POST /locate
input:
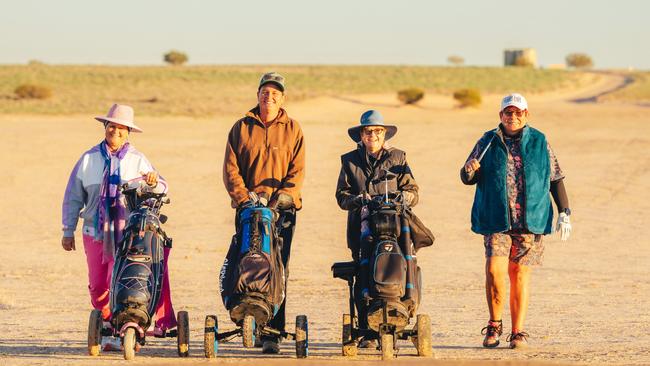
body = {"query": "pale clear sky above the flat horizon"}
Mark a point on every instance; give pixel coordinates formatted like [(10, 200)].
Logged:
[(418, 32)]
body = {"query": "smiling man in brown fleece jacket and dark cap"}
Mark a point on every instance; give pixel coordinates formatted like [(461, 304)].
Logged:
[(265, 154)]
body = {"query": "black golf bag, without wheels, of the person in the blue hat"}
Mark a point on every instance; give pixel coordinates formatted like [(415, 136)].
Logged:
[(388, 269)]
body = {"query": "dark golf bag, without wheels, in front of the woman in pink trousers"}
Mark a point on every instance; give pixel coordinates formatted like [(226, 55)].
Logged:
[(139, 260)]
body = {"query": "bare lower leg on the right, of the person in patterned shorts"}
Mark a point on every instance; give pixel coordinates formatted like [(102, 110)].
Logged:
[(519, 294)]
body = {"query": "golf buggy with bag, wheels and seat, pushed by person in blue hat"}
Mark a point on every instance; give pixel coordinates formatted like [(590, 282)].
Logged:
[(390, 280)]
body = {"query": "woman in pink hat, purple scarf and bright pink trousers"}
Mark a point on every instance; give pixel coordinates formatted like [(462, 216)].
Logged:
[(93, 194)]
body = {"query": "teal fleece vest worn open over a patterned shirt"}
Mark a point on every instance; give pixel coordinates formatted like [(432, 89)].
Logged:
[(490, 212)]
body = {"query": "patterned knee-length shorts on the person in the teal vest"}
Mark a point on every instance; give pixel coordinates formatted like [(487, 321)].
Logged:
[(521, 247)]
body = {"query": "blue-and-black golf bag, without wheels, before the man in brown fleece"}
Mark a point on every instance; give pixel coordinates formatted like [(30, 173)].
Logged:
[(252, 277)]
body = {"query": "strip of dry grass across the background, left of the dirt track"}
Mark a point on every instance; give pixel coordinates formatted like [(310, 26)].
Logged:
[(208, 90)]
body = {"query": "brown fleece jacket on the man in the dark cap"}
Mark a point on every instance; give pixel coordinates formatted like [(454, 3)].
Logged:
[(263, 159)]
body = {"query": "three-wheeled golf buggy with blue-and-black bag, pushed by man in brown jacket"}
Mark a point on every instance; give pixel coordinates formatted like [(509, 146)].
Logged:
[(252, 282)]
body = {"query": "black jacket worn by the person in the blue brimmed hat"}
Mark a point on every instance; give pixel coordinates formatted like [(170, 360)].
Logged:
[(358, 175)]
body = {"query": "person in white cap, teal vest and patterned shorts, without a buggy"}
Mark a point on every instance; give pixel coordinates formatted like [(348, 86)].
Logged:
[(515, 172)]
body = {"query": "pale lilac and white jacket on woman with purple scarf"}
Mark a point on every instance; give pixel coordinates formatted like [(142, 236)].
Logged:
[(82, 195)]
